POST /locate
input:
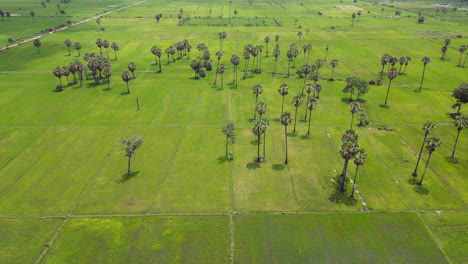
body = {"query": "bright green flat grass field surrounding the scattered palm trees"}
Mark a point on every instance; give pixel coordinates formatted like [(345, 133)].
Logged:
[(64, 193)]
